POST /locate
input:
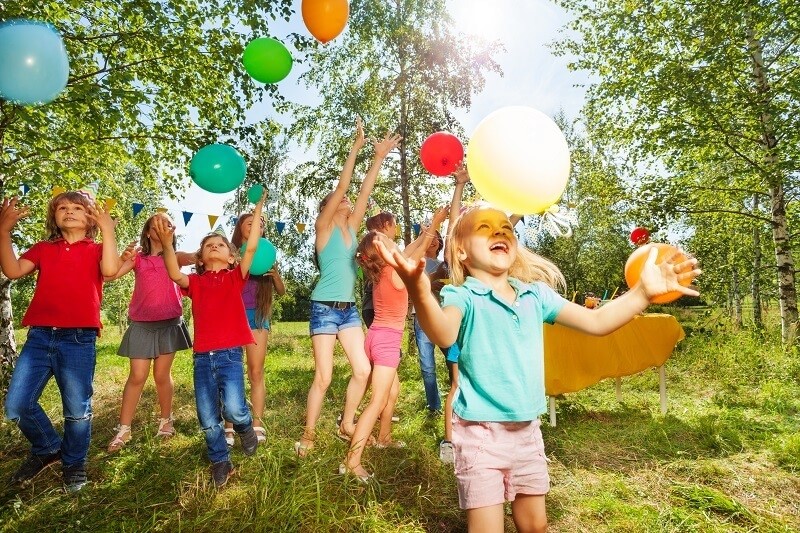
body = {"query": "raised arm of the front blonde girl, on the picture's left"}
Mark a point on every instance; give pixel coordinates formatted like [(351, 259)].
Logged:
[(441, 325)]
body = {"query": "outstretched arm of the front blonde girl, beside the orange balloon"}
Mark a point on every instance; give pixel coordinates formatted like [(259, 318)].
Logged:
[(654, 280)]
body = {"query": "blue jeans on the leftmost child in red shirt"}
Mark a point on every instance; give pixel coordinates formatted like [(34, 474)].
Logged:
[(68, 354)]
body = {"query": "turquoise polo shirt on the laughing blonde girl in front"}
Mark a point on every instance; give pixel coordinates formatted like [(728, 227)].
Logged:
[(501, 366)]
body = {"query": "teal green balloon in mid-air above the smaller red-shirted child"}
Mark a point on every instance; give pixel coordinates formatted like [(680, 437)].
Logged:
[(218, 168)]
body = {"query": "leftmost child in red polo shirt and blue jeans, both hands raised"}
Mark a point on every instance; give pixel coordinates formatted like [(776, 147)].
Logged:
[(64, 321)]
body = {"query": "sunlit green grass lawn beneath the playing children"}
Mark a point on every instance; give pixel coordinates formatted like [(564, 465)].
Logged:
[(724, 458)]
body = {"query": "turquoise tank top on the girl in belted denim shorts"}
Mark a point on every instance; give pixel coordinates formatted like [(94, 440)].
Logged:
[(337, 267)]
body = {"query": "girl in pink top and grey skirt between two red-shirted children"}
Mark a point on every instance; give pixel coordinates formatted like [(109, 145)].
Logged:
[(156, 330)]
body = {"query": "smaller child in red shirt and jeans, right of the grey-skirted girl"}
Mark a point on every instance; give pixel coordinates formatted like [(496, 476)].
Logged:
[(220, 331)]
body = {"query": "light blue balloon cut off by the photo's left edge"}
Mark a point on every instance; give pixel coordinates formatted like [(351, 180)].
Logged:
[(34, 67)]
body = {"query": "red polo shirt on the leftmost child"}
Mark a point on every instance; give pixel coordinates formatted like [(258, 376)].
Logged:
[(69, 284)]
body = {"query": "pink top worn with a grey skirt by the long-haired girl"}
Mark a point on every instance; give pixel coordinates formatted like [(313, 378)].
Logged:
[(155, 295)]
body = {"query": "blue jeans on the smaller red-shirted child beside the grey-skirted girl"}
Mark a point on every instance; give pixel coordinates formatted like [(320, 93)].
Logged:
[(219, 393)]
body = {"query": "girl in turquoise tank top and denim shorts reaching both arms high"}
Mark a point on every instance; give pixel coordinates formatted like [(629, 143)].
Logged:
[(333, 311)]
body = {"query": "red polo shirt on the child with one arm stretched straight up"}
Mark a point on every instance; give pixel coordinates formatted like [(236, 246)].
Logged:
[(220, 321)]
